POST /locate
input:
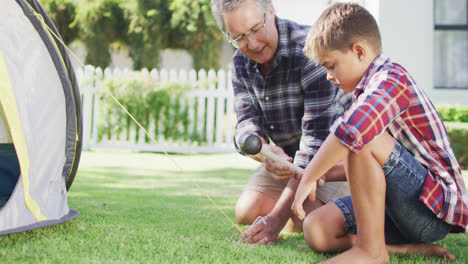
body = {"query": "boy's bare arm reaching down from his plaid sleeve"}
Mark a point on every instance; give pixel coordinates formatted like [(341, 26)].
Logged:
[(328, 155)]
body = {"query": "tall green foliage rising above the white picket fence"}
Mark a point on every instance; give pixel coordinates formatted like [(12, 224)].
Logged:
[(146, 27)]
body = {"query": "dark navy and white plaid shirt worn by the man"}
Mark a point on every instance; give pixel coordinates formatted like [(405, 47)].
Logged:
[(294, 105)]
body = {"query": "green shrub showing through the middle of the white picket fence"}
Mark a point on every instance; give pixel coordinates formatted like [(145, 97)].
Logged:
[(164, 103)]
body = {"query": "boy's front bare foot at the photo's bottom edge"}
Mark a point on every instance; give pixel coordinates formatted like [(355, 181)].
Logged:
[(358, 255)]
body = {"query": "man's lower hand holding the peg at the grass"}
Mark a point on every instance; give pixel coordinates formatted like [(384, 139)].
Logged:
[(262, 233)]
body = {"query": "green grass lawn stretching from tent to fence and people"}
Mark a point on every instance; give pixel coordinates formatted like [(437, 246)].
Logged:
[(139, 208)]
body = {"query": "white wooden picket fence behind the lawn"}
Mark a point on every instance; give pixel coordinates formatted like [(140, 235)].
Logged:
[(215, 112)]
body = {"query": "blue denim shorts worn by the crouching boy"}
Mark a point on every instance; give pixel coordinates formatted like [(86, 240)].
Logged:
[(407, 220)]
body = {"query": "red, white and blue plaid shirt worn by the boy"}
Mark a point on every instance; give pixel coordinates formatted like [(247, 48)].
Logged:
[(387, 97)]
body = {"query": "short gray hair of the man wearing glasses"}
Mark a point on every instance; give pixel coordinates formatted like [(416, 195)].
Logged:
[(220, 7)]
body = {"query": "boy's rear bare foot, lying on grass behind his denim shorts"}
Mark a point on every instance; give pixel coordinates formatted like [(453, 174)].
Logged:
[(430, 250)]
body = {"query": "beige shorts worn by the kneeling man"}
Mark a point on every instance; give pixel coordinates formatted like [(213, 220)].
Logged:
[(263, 182)]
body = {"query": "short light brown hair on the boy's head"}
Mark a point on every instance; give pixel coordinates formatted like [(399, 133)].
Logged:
[(339, 27)]
